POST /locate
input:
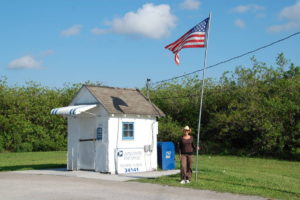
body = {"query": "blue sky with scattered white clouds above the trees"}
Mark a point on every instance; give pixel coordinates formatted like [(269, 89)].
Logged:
[(121, 43)]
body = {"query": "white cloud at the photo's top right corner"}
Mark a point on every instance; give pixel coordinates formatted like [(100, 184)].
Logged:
[(292, 15)]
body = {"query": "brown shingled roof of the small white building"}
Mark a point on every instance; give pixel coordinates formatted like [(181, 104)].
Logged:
[(124, 101)]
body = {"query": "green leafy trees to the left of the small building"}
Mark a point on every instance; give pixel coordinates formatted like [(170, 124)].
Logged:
[(25, 120)]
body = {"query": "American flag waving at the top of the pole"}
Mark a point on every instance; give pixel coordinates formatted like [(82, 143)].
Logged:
[(194, 38)]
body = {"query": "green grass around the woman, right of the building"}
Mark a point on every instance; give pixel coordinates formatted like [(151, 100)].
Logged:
[(253, 176)]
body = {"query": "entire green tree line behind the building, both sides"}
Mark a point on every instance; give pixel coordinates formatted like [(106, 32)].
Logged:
[(249, 111)]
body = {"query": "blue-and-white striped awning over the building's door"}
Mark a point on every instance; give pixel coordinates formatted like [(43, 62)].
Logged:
[(72, 110)]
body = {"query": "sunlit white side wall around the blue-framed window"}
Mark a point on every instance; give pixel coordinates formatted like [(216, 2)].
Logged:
[(145, 133)]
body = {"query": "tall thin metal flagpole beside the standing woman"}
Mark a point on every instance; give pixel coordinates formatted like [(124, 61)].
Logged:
[(201, 99)]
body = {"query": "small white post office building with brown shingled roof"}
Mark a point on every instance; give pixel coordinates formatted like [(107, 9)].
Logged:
[(111, 130)]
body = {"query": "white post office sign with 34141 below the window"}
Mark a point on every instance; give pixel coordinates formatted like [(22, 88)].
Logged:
[(130, 161)]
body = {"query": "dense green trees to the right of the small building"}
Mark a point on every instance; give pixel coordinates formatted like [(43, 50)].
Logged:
[(253, 111)]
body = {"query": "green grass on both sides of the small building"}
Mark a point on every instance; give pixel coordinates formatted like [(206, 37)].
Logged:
[(253, 176)]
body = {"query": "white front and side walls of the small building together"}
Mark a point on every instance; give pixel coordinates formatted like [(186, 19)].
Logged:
[(84, 126)]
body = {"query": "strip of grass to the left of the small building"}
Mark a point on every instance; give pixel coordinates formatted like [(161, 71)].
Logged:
[(32, 160)]
